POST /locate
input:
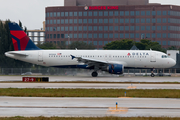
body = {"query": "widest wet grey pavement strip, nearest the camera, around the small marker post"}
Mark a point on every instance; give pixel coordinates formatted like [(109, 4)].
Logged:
[(88, 107)]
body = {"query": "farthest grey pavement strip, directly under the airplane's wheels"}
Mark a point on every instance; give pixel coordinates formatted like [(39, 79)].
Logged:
[(101, 79)]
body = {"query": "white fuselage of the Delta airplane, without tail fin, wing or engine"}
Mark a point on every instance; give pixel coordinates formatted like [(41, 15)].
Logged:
[(129, 58)]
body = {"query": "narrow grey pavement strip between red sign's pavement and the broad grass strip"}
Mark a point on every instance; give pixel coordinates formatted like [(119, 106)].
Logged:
[(90, 85)]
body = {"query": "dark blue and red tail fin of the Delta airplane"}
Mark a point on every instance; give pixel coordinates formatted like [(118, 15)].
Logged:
[(19, 38)]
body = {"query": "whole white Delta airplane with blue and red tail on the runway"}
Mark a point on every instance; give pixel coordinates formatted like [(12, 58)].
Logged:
[(111, 61)]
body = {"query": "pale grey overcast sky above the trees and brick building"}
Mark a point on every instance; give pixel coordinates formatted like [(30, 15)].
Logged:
[(32, 12)]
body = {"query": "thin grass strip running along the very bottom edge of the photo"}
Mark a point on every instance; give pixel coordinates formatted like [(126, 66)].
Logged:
[(87, 118)]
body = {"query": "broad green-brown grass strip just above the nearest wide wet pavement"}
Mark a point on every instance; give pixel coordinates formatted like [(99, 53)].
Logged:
[(38, 92)]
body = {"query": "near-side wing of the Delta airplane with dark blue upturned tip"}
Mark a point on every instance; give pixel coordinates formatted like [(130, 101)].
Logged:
[(92, 62)]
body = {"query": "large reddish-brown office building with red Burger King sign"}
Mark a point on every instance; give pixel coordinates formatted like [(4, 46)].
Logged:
[(102, 21)]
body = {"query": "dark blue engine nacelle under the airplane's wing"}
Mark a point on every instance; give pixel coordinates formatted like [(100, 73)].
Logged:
[(115, 69)]
